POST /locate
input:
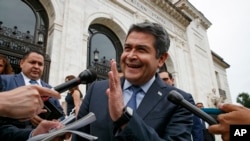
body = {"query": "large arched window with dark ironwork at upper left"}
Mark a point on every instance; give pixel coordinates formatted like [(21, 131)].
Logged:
[(23, 27)]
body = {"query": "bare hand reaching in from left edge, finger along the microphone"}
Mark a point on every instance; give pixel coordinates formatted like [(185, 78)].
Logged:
[(24, 102)]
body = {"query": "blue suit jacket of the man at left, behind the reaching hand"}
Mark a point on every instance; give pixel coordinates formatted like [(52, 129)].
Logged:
[(14, 130)]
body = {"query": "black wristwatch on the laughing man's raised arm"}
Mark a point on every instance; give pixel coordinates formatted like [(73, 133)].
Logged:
[(126, 116)]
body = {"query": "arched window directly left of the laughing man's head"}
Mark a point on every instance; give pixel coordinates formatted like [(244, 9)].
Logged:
[(103, 45)]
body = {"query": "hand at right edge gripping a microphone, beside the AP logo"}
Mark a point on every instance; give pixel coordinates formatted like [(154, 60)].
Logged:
[(233, 115)]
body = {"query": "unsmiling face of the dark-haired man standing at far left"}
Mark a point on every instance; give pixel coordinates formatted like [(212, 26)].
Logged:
[(33, 66)]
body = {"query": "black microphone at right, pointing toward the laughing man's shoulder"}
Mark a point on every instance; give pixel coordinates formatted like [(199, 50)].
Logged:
[(178, 99)]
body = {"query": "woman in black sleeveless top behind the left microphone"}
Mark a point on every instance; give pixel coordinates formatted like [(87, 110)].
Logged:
[(73, 97)]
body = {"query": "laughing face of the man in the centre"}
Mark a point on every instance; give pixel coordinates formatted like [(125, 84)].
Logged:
[(138, 60)]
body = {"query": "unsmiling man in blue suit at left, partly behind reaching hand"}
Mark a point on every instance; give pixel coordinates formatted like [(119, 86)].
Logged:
[(32, 65)]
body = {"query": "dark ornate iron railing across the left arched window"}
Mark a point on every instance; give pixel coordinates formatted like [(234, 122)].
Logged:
[(14, 44)]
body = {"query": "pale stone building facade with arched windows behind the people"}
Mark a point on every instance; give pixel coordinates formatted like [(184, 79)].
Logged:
[(75, 29)]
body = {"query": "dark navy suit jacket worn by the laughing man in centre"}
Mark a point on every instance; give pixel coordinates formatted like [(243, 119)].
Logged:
[(156, 118)]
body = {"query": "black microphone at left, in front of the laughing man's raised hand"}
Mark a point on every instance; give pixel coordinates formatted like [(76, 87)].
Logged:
[(85, 77)]
